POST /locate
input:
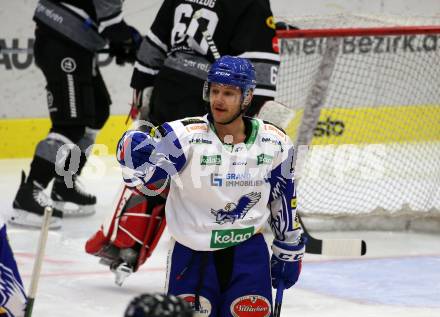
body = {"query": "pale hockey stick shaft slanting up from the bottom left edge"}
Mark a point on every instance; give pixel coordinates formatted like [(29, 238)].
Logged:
[(36, 271)]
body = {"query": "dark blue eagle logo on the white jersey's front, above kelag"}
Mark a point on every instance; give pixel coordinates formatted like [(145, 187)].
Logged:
[(231, 212)]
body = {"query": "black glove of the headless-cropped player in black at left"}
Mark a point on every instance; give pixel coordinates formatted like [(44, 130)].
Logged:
[(125, 51)]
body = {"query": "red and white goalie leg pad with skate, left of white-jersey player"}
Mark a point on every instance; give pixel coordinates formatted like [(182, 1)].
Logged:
[(130, 235)]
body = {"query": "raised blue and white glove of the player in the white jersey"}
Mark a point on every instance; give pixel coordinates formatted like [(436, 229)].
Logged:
[(135, 149)]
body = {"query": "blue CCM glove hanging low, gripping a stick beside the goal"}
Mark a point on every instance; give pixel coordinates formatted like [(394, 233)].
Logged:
[(286, 262)]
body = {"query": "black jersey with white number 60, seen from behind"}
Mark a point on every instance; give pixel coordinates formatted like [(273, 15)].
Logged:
[(175, 55)]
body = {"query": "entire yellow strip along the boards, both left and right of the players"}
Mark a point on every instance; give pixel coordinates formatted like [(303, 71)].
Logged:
[(362, 125)]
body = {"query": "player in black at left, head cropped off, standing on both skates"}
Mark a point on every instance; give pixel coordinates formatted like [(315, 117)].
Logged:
[(68, 34)]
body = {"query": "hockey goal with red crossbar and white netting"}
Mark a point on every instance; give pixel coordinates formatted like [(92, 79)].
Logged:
[(366, 103)]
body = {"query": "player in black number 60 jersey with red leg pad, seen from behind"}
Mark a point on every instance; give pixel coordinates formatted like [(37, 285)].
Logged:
[(170, 69)]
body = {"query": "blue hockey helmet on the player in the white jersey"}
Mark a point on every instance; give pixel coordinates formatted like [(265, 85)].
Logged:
[(232, 71)]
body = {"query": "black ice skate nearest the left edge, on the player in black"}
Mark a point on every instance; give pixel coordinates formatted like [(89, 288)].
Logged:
[(29, 205)]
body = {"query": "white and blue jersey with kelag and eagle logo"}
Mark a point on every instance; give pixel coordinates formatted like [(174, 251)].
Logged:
[(221, 194)]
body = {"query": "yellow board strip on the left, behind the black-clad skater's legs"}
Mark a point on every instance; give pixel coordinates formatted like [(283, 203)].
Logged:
[(19, 137)]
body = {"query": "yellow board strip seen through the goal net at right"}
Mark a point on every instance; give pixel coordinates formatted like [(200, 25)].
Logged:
[(378, 125)]
